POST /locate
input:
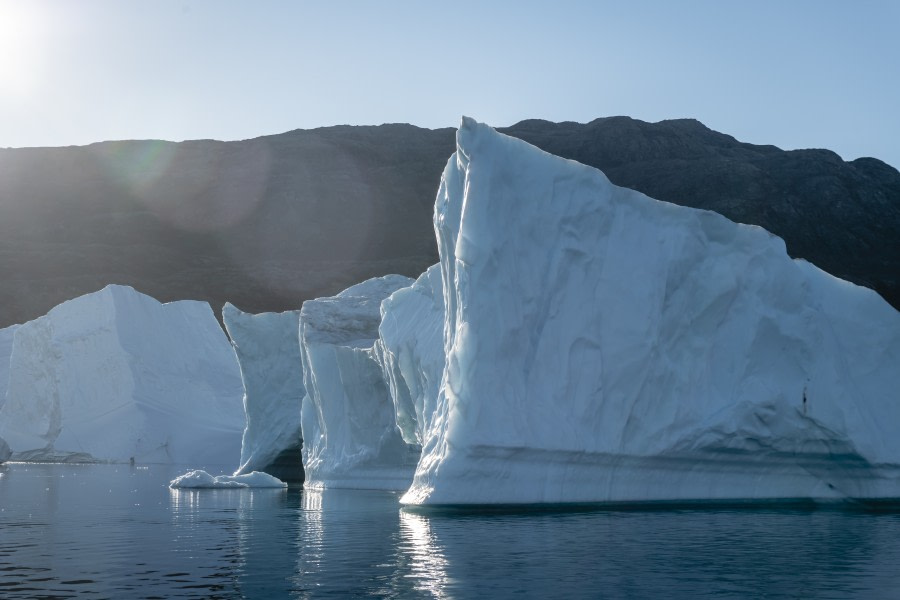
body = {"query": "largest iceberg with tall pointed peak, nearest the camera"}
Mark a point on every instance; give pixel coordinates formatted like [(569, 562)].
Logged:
[(605, 346)]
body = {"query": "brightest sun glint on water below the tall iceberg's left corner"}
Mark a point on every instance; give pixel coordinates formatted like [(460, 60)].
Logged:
[(426, 559)]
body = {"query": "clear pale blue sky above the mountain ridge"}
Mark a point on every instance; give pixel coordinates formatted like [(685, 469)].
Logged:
[(794, 73)]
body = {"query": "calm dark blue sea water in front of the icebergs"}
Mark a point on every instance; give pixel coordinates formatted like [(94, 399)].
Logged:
[(104, 531)]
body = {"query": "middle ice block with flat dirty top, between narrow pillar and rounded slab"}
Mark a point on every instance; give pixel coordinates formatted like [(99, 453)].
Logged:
[(350, 435)]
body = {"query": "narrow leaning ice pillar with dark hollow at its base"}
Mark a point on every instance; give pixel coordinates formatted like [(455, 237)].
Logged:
[(268, 350)]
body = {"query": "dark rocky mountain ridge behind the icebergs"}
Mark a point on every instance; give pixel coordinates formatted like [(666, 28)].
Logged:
[(269, 222)]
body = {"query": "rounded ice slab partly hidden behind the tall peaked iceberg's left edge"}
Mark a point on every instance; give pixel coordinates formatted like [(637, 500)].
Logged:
[(410, 349)]
